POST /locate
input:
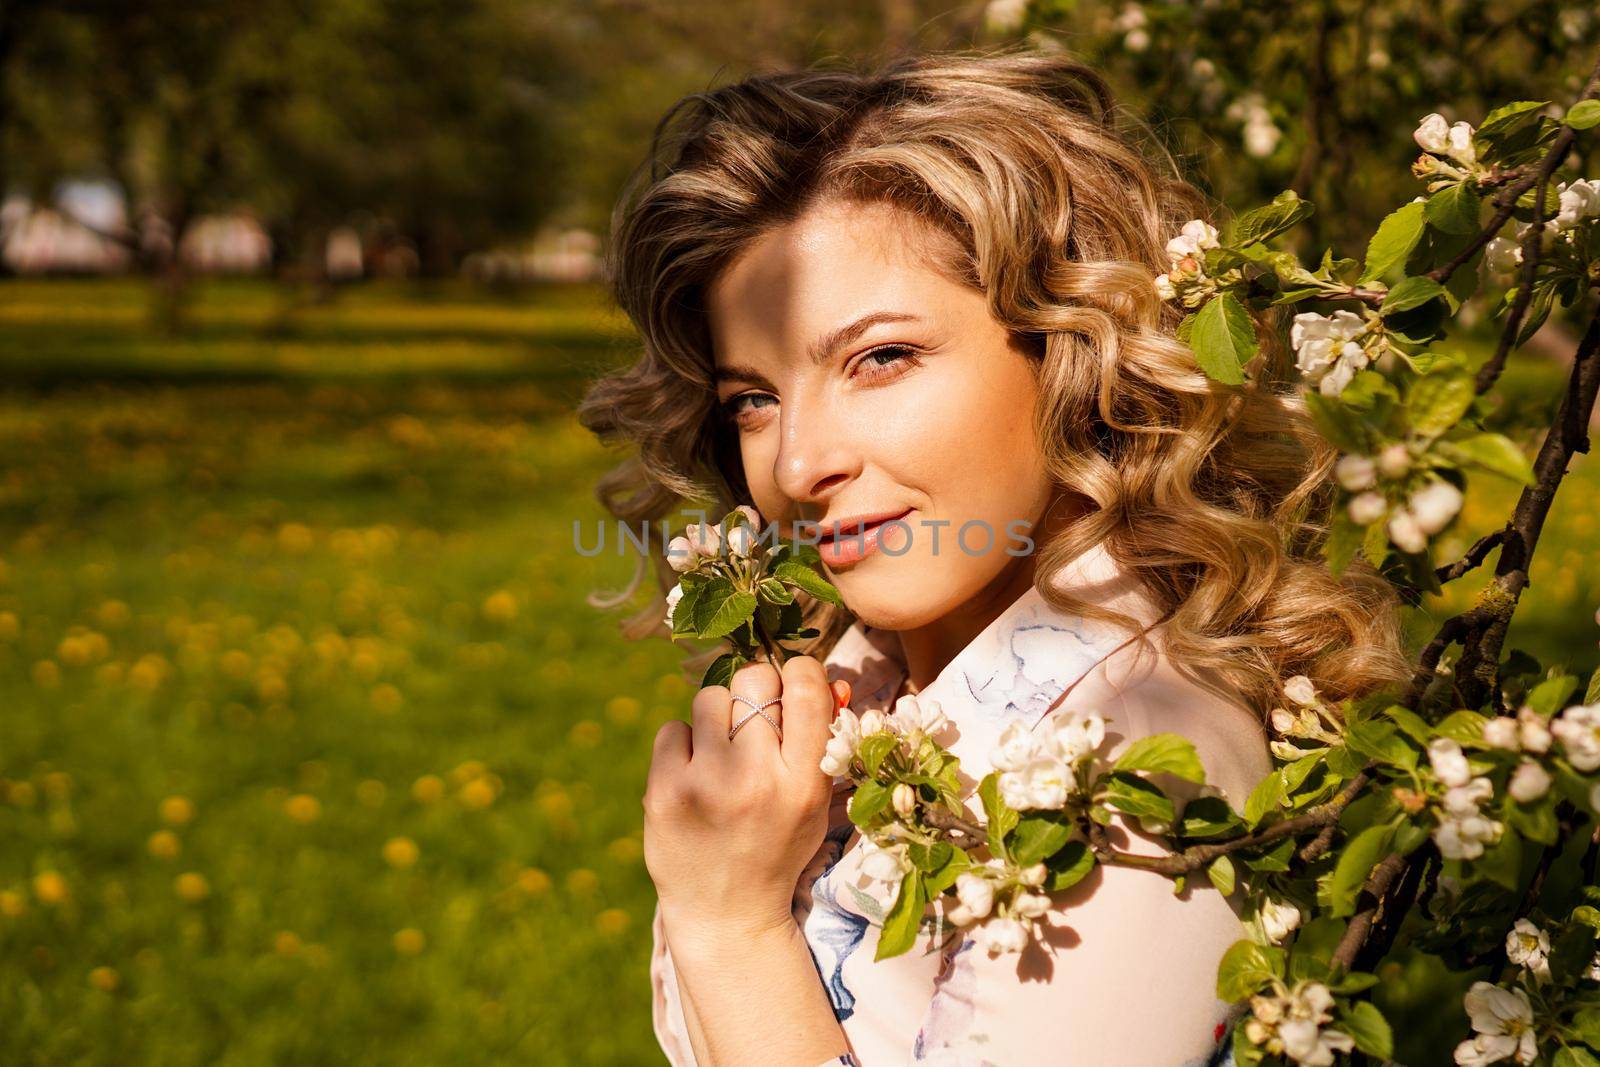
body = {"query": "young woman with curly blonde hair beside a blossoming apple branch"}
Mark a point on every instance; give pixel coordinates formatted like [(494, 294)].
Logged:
[(919, 303)]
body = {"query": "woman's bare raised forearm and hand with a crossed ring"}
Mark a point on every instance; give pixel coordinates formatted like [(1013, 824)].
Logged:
[(729, 828)]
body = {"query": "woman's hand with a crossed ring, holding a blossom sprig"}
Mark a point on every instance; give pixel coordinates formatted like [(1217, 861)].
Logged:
[(730, 825)]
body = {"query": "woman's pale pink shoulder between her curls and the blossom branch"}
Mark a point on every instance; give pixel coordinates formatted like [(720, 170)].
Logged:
[(1140, 690)]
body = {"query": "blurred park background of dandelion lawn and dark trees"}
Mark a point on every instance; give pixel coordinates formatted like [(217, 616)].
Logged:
[(311, 748)]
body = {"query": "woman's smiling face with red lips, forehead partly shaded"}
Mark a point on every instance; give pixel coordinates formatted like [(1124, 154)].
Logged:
[(868, 385)]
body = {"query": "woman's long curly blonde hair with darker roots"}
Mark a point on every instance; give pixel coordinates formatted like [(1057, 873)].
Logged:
[(1215, 497)]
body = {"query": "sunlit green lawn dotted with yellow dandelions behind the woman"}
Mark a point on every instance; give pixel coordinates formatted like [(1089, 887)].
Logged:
[(314, 575)]
